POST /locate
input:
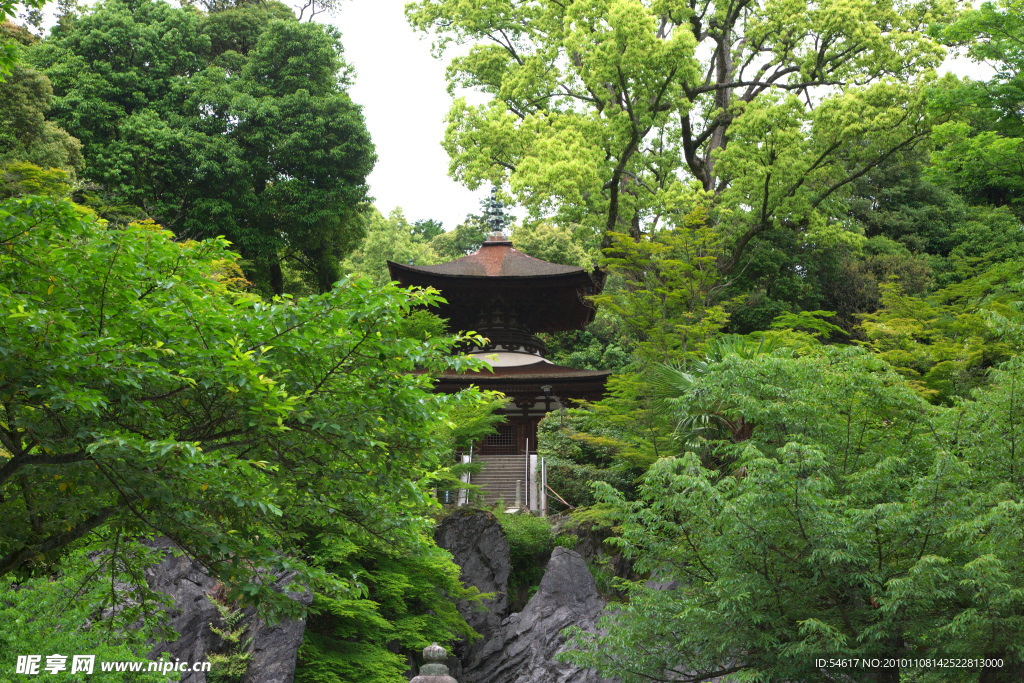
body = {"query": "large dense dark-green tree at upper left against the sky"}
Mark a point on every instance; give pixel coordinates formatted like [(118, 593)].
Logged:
[(238, 124)]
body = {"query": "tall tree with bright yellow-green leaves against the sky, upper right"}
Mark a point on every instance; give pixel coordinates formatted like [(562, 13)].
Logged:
[(604, 111)]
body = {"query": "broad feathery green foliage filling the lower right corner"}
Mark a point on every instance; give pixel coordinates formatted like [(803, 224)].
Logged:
[(847, 524)]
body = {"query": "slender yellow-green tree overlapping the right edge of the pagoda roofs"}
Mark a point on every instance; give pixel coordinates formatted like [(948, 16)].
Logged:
[(664, 295)]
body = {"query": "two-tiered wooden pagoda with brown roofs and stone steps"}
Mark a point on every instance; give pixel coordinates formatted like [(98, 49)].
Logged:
[(509, 297)]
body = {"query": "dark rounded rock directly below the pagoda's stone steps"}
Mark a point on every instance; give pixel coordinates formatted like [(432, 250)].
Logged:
[(480, 548)]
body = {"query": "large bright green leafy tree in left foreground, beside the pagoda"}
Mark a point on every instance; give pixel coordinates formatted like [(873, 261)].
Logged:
[(140, 395)]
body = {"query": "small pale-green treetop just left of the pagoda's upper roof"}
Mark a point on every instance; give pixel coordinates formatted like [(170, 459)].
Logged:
[(391, 239)]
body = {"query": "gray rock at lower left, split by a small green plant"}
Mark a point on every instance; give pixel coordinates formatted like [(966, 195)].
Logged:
[(274, 649)]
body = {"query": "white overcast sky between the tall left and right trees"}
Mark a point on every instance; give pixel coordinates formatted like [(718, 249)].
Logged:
[(402, 90)]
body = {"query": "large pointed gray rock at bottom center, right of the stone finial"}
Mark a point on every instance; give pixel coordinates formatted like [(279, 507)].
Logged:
[(525, 648)]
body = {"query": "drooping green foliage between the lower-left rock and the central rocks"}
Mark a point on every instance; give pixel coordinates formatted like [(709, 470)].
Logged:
[(410, 603)]
